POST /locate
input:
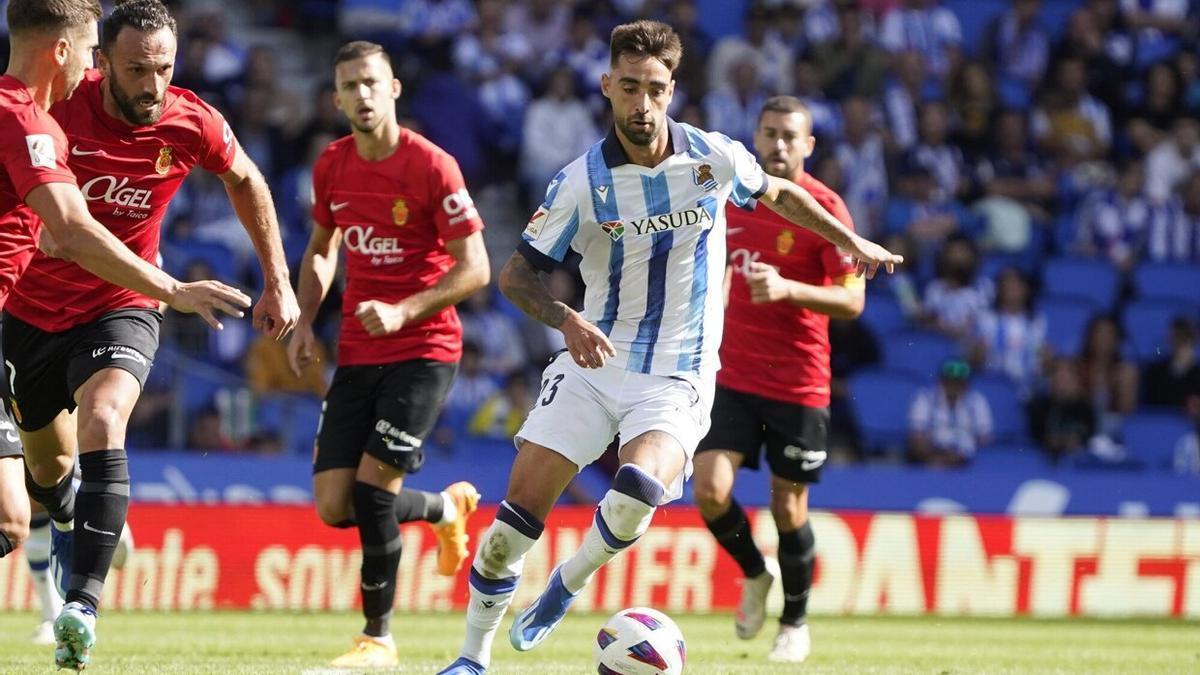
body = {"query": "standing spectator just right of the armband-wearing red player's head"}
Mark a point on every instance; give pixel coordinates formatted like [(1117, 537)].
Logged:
[(863, 166)]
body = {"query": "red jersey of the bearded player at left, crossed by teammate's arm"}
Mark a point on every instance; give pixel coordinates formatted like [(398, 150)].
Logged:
[(128, 175)]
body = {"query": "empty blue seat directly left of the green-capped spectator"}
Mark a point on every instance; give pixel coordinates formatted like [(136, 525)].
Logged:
[(880, 401)]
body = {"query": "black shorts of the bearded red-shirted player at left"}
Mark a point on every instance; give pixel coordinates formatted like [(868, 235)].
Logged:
[(46, 369)]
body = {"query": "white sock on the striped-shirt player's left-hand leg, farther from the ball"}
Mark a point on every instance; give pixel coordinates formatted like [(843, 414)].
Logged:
[(494, 578)]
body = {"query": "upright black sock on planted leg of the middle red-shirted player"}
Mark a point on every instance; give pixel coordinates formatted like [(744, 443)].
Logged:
[(380, 535)]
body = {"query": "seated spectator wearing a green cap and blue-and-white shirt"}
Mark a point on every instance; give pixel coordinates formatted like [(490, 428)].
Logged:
[(949, 422)]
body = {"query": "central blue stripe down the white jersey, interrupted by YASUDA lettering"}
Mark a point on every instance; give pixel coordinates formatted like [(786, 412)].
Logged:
[(657, 193)]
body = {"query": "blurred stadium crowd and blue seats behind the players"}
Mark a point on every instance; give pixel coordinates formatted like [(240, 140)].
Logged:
[(1037, 163)]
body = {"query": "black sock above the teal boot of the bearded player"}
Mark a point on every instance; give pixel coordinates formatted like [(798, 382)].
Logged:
[(101, 510)]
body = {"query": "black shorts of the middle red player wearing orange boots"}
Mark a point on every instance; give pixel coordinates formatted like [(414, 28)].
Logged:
[(385, 411)]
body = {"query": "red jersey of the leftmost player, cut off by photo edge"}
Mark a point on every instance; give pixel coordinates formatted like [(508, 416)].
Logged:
[(33, 152)]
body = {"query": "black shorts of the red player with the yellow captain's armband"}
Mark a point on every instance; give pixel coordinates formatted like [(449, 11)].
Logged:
[(796, 437)]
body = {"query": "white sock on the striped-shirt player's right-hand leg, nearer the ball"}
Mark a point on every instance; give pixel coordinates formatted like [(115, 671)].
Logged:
[(619, 523)]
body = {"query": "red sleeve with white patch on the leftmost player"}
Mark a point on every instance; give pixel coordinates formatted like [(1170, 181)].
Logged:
[(34, 151)]
